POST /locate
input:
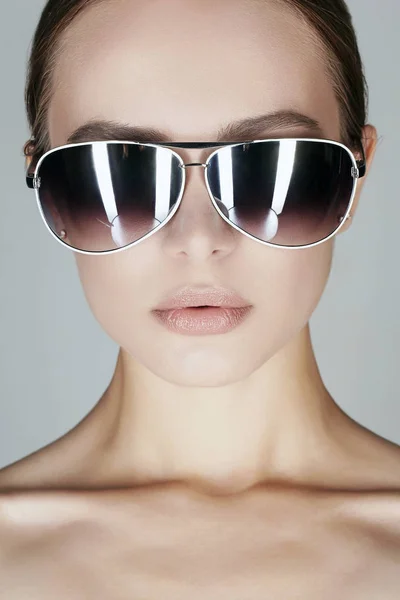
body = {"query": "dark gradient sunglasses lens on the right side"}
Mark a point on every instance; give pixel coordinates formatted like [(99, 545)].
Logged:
[(285, 192)]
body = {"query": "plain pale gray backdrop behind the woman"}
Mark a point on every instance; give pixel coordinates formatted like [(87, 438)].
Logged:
[(55, 361)]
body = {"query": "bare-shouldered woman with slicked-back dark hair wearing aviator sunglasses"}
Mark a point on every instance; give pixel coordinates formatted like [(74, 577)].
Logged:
[(216, 464)]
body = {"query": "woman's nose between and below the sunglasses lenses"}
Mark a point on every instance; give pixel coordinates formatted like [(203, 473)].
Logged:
[(197, 231)]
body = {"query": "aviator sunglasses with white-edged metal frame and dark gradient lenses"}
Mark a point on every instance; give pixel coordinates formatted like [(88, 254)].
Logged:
[(104, 197)]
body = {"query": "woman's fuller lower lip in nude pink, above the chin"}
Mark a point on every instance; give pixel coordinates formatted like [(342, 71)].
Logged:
[(202, 321)]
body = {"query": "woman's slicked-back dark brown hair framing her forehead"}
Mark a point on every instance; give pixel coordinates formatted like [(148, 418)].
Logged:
[(330, 20)]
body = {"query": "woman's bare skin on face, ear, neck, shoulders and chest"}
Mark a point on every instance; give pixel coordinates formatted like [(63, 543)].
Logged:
[(216, 466)]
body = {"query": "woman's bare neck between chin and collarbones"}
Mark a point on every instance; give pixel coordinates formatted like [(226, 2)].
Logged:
[(277, 425)]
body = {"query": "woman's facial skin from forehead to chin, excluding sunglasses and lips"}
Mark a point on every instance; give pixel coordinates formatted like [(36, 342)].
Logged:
[(189, 67)]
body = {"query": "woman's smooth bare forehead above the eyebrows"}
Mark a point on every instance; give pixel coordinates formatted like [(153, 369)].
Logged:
[(188, 67)]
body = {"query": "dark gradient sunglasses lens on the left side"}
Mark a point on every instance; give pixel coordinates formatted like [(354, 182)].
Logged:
[(103, 196)]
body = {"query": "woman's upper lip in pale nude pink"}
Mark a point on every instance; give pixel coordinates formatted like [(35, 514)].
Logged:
[(203, 296)]
